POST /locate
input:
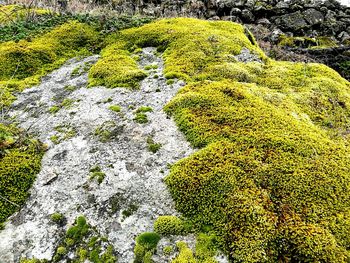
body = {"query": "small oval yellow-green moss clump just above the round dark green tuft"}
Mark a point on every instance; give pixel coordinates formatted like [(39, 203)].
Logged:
[(169, 225)]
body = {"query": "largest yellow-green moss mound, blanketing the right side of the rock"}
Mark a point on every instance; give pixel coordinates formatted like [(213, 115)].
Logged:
[(272, 178)]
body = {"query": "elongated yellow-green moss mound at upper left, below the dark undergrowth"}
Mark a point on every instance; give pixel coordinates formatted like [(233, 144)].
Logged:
[(23, 63)]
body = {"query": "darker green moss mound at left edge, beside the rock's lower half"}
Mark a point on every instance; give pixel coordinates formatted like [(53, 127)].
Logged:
[(20, 159)]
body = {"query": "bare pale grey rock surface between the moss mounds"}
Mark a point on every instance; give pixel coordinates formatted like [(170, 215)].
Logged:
[(86, 134)]
